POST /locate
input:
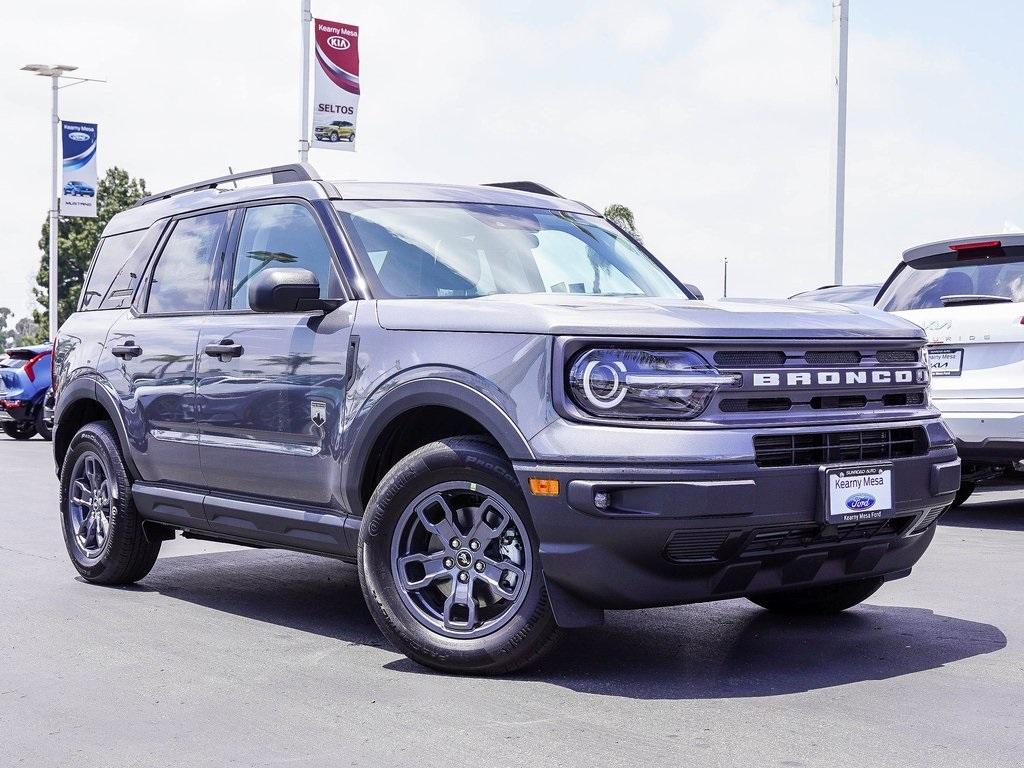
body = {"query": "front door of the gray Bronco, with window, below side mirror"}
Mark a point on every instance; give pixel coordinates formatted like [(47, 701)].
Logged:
[(272, 388)]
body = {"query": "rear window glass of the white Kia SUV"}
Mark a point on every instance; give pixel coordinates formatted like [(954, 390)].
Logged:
[(924, 284)]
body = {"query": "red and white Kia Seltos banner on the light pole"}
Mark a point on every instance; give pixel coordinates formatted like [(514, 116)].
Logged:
[(336, 90)]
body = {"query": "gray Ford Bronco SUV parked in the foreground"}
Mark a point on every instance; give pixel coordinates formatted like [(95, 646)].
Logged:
[(498, 405)]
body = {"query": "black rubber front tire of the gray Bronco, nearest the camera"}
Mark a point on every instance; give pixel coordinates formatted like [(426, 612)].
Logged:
[(529, 630)]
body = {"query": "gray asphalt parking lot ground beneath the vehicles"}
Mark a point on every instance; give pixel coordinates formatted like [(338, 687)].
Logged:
[(227, 657)]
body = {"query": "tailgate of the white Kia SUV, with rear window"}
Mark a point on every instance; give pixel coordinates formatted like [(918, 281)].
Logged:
[(971, 304)]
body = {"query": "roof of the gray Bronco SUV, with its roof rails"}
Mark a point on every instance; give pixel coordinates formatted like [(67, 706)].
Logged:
[(221, 192)]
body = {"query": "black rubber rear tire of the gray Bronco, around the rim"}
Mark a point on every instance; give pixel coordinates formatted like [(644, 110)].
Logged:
[(126, 556)]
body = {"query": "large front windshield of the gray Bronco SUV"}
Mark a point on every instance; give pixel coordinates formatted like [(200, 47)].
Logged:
[(456, 250)]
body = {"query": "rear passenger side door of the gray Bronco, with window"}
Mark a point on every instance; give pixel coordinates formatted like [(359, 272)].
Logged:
[(151, 351)]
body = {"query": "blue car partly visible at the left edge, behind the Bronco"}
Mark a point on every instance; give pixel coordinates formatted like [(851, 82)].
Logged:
[(25, 379)]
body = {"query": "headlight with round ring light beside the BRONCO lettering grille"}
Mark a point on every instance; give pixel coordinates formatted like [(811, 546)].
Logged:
[(661, 385)]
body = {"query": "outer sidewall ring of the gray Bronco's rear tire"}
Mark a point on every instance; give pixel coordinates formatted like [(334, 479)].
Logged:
[(97, 439)]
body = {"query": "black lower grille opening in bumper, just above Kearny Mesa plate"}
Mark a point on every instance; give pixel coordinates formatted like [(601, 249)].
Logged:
[(837, 448)]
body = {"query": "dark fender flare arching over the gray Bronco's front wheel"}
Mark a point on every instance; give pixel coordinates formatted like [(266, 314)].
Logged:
[(435, 390)]
